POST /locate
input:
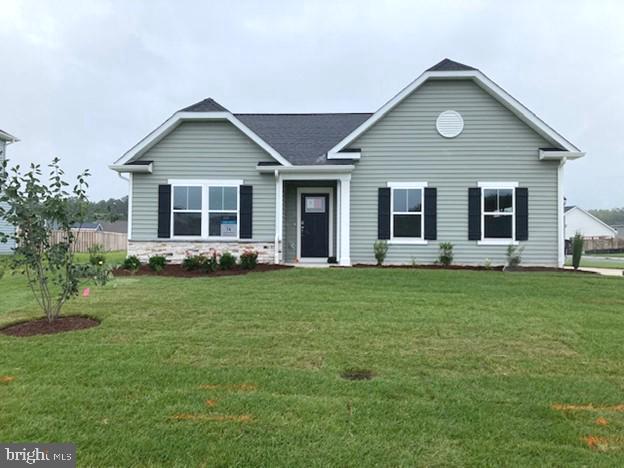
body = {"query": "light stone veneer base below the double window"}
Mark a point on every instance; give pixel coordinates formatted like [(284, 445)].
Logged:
[(176, 251)]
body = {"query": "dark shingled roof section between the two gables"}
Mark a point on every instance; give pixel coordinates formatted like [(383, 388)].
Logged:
[(303, 138)]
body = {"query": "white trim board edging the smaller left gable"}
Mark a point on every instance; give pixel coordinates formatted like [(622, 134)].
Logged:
[(172, 122)]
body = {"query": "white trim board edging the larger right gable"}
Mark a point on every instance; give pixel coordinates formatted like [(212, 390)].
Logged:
[(515, 106)]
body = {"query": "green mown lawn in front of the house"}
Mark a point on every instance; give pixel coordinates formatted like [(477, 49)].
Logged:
[(467, 367)]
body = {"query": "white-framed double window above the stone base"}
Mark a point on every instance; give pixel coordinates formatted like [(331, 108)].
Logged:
[(205, 209)]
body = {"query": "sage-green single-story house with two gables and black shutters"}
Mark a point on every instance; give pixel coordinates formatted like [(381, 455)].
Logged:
[(451, 158)]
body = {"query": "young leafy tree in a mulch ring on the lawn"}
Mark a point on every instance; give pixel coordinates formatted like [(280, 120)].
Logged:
[(35, 208)]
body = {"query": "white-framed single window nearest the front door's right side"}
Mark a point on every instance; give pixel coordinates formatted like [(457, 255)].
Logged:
[(407, 209)]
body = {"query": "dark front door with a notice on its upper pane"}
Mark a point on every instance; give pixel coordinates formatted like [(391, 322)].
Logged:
[(314, 225)]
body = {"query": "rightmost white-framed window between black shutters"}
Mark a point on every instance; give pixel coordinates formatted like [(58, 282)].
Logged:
[(498, 212)]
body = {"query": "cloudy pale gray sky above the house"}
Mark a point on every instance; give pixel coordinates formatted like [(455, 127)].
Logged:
[(85, 80)]
